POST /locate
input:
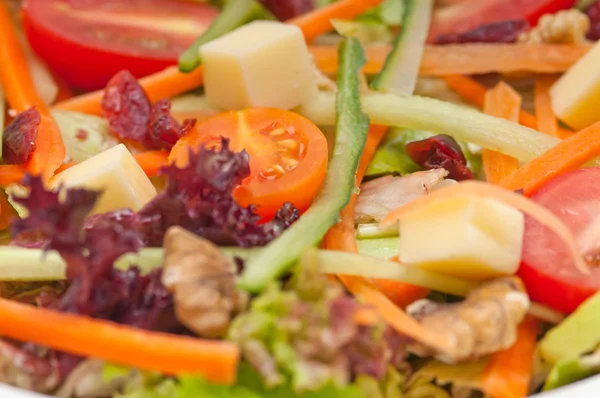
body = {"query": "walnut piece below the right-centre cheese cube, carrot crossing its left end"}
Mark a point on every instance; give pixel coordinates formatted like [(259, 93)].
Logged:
[(485, 322)]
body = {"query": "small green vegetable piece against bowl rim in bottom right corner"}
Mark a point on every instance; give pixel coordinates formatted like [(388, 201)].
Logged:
[(570, 370)]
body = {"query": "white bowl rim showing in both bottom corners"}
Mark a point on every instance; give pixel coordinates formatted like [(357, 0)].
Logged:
[(588, 388)]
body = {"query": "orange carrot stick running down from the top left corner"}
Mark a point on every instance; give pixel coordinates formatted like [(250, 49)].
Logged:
[(21, 94)]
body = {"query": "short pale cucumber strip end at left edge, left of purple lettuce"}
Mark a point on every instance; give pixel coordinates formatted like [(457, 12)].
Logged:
[(20, 264)]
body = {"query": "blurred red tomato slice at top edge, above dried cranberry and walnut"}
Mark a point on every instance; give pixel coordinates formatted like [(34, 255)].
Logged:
[(470, 14)]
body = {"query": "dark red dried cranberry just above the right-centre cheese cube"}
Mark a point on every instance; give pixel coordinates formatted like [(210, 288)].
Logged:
[(440, 152)]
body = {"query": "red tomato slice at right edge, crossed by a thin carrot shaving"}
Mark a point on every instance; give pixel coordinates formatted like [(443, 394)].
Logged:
[(547, 268)]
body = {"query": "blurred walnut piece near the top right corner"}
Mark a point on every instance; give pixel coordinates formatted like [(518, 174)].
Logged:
[(564, 27)]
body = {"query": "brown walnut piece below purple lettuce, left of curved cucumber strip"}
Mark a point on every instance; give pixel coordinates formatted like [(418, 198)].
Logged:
[(203, 283)]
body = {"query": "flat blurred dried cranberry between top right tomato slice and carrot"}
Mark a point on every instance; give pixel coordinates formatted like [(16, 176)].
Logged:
[(495, 32)]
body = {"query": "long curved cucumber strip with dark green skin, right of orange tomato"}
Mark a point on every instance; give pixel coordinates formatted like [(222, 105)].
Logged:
[(351, 131)]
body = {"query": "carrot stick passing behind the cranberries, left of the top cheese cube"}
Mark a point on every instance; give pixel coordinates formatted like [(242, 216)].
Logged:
[(164, 84)]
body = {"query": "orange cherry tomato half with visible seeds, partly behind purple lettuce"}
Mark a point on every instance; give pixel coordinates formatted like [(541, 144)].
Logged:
[(288, 155)]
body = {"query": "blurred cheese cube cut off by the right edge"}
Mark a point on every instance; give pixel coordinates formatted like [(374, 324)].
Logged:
[(576, 94)]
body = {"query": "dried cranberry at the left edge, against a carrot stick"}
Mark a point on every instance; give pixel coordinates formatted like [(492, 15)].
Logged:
[(18, 141)]
